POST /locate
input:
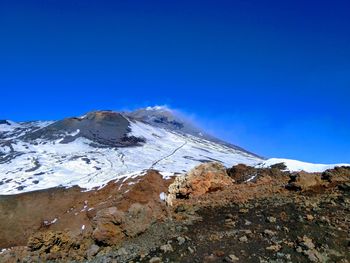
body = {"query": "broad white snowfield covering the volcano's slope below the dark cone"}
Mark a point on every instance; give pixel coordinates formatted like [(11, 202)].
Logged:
[(44, 164)]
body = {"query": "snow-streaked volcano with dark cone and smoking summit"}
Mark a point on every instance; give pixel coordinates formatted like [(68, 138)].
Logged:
[(100, 146)]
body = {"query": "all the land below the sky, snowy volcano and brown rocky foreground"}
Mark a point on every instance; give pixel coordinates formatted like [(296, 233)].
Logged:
[(149, 186)]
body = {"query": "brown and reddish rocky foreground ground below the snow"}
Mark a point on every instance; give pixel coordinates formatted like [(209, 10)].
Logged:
[(211, 214)]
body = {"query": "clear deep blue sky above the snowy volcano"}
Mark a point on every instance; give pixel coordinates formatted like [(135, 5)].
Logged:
[(270, 76)]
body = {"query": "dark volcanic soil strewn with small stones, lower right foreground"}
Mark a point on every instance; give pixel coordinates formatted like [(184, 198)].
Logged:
[(268, 230)]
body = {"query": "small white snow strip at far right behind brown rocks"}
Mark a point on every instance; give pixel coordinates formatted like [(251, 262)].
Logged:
[(295, 166)]
